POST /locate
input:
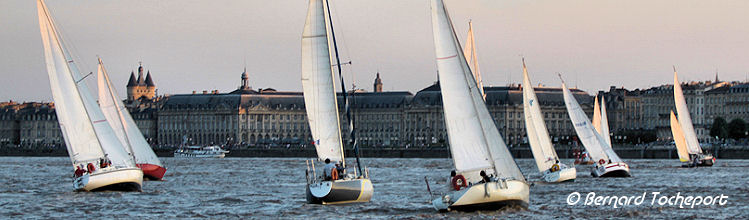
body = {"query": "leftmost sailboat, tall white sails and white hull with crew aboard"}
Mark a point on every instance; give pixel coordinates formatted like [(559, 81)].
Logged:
[(99, 159)]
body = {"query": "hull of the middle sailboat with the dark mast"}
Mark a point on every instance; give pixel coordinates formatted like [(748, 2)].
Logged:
[(340, 191)]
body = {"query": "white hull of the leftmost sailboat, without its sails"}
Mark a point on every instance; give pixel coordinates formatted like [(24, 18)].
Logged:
[(128, 180)]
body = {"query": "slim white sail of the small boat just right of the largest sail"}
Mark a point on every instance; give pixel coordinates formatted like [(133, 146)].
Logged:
[(538, 136)]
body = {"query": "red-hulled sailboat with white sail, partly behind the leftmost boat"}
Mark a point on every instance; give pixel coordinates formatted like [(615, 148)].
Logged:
[(125, 128)]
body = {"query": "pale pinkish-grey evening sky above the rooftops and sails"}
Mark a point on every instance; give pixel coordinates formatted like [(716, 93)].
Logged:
[(195, 45)]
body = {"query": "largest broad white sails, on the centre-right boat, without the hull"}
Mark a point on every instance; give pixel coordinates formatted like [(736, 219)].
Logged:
[(475, 142)]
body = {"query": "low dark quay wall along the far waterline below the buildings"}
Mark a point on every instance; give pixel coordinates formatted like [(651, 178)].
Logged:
[(632, 152)]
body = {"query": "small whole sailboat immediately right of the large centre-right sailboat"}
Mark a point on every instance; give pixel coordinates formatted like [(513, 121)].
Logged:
[(546, 157)]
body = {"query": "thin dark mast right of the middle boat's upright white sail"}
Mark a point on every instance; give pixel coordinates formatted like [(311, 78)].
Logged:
[(338, 64)]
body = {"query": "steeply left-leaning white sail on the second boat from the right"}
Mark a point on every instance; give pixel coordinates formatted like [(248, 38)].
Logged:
[(591, 140)]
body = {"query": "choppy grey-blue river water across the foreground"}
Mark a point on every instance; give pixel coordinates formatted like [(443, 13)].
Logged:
[(34, 187)]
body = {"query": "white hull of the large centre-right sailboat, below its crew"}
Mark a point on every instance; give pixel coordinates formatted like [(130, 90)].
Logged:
[(485, 196)]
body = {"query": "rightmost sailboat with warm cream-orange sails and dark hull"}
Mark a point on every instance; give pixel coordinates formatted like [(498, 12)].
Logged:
[(683, 131)]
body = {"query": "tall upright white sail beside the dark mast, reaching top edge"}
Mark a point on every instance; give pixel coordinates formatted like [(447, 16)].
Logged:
[(318, 84)]
